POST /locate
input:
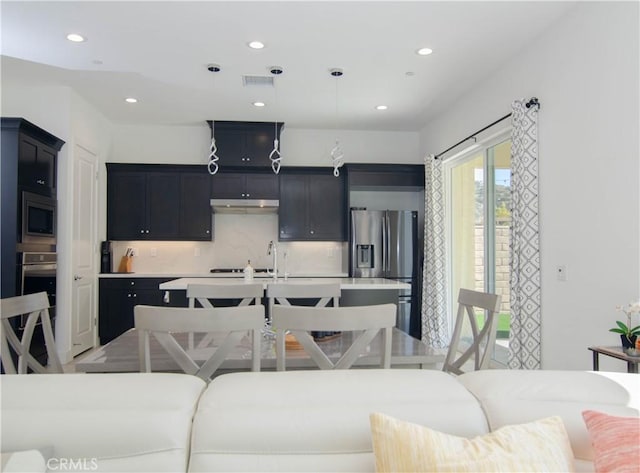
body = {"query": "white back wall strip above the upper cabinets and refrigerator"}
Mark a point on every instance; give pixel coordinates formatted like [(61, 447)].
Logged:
[(190, 145)]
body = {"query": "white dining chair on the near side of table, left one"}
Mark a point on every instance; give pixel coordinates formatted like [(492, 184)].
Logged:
[(163, 322)]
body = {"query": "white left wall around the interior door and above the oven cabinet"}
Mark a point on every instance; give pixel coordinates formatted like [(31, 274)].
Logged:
[(60, 111)]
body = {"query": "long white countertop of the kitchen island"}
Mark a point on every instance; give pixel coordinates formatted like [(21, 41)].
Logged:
[(345, 283)]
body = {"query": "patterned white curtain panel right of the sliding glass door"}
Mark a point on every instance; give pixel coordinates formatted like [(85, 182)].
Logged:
[(525, 332)]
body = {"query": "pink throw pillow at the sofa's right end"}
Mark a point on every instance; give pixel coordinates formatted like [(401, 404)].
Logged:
[(616, 441)]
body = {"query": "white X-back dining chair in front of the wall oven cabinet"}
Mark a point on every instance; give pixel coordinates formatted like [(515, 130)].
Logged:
[(33, 310)]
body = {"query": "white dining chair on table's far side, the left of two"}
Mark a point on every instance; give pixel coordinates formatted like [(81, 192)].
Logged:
[(203, 294)]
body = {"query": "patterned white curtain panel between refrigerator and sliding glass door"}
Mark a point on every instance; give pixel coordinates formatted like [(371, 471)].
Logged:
[(435, 327)]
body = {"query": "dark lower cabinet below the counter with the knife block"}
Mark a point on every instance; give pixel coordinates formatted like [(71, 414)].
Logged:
[(117, 298)]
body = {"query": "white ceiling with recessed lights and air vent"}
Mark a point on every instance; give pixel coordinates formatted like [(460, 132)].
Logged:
[(158, 52)]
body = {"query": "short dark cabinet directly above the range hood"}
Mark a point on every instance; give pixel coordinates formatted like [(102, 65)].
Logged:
[(232, 185)]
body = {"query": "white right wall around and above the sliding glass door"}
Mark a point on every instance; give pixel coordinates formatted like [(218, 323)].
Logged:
[(584, 70)]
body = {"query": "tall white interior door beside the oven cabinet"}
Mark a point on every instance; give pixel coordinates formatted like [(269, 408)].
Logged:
[(85, 253)]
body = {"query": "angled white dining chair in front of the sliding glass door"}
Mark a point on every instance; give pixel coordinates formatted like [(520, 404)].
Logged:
[(475, 354)]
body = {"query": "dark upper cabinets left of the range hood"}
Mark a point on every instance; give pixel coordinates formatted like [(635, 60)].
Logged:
[(159, 203)]
